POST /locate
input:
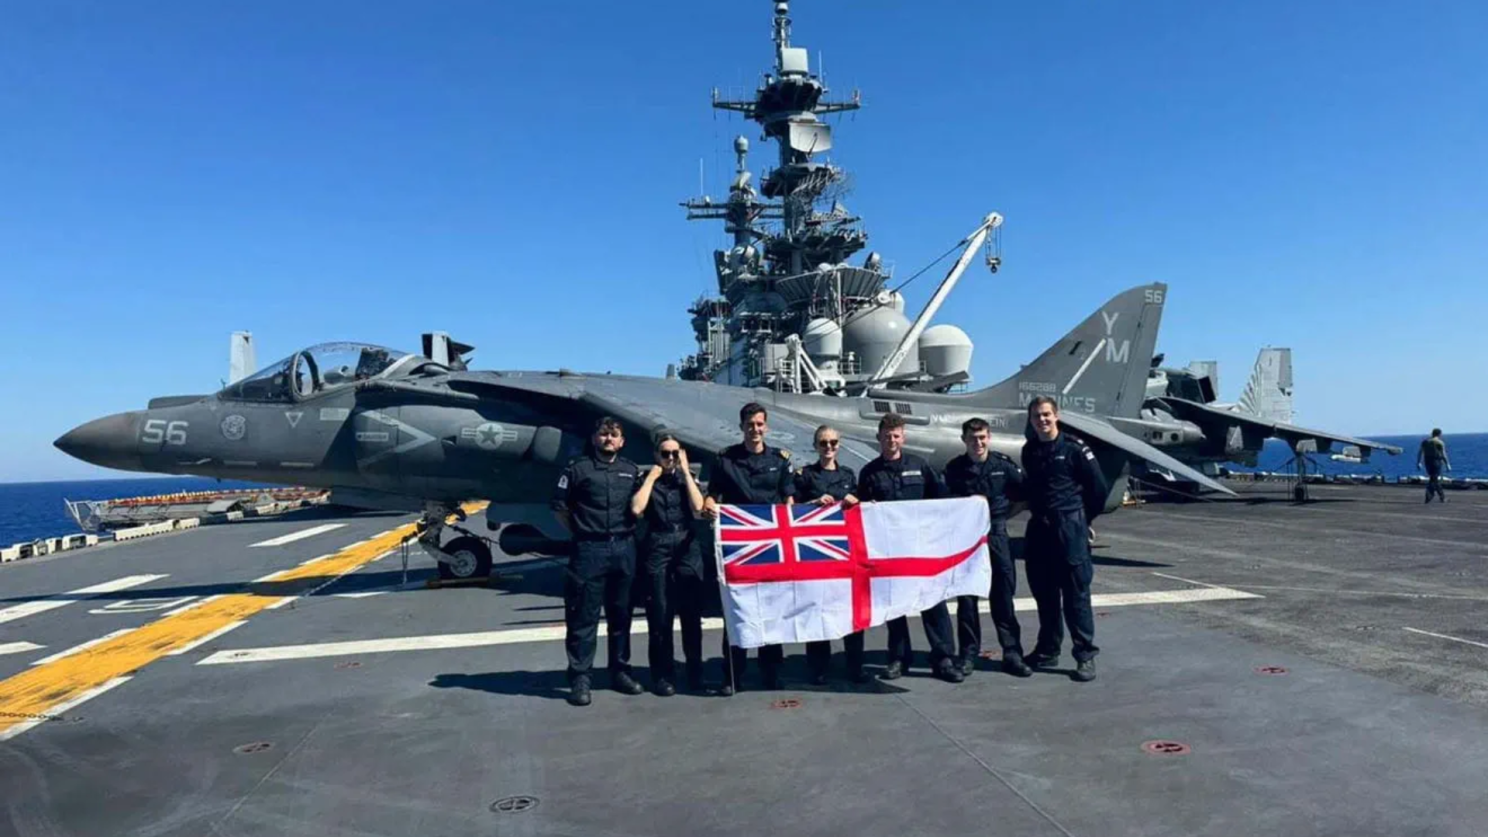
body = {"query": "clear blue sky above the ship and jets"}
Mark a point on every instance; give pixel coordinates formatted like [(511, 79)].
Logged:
[(1307, 175)]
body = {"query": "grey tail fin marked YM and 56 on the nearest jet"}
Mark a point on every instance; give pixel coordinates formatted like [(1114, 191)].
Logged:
[(1100, 367)]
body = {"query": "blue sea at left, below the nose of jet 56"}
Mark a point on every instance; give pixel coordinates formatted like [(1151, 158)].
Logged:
[(35, 510)]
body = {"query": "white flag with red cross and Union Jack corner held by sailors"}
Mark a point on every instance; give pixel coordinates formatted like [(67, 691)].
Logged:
[(809, 573)]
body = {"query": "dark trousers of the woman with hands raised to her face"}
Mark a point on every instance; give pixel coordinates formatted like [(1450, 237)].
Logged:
[(675, 592)]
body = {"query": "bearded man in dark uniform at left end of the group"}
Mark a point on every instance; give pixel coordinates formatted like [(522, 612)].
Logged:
[(594, 503)]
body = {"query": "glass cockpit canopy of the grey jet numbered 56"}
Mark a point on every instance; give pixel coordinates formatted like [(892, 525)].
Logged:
[(316, 370)]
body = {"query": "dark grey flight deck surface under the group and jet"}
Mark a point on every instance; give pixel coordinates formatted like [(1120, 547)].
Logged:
[(1374, 729)]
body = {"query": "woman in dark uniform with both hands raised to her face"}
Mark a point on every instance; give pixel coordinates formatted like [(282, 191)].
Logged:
[(669, 501)]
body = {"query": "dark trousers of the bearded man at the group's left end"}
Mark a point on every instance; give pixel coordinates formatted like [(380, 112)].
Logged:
[(600, 574)]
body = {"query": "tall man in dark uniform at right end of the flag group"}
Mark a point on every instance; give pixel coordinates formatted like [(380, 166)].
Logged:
[(1066, 491)]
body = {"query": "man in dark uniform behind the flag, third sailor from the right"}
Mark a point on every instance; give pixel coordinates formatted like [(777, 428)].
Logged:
[(898, 476)]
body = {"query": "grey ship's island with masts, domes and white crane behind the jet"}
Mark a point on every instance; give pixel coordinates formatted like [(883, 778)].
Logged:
[(792, 312)]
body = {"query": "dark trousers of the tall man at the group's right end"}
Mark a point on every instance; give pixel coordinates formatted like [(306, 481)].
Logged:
[(1057, 556)]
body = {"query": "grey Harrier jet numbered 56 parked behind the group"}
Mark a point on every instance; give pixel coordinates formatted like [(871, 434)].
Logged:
[(398, 431)]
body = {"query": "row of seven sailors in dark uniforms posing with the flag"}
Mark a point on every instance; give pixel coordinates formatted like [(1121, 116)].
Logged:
[(602, 497)]
